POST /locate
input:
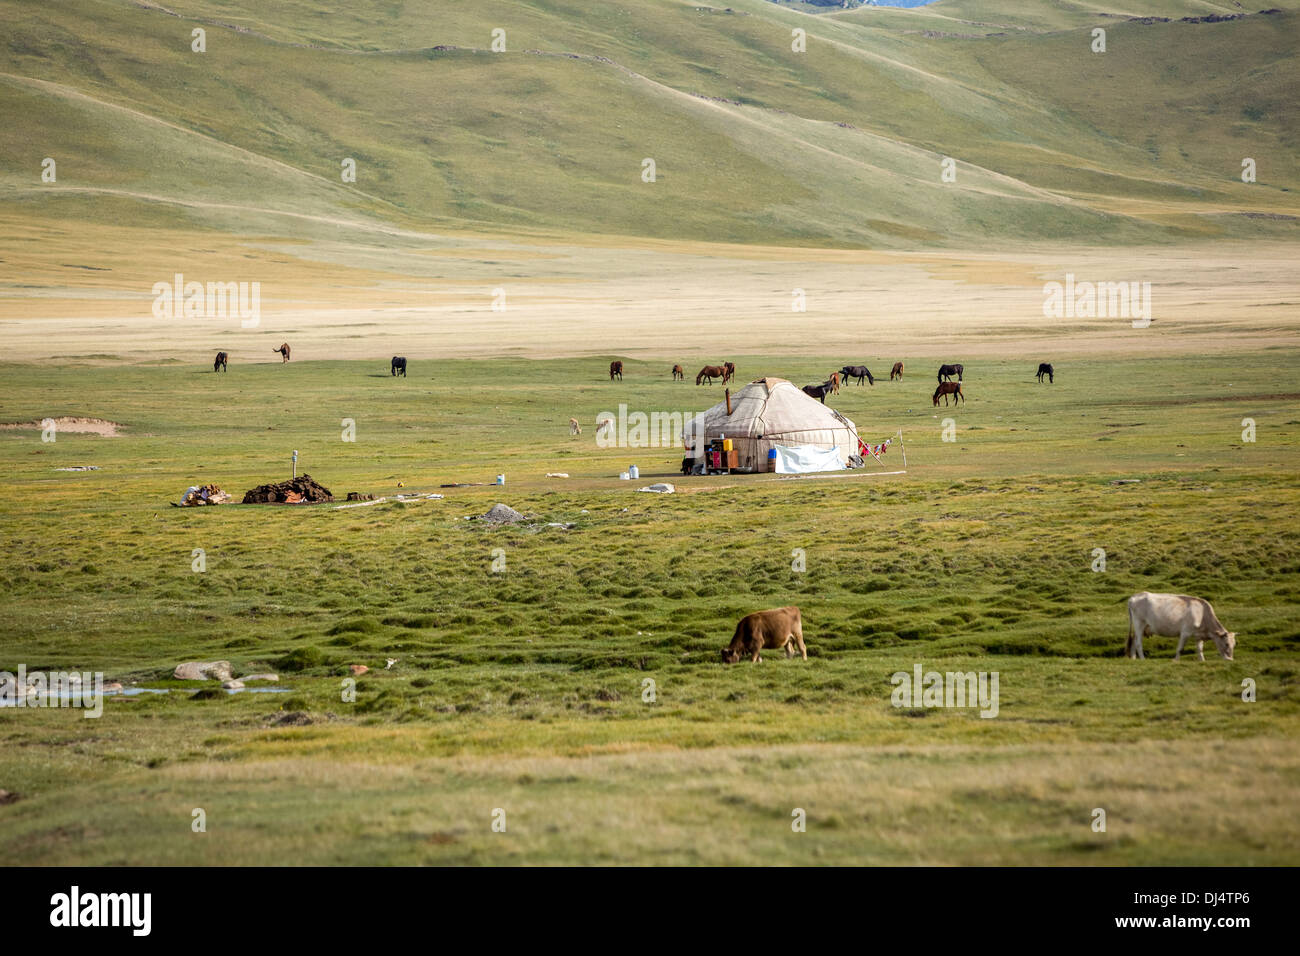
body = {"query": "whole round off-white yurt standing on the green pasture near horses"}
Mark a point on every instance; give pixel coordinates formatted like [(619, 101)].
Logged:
[(772, 414)]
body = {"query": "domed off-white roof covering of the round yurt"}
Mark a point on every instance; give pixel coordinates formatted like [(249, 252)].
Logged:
[(775, 412)]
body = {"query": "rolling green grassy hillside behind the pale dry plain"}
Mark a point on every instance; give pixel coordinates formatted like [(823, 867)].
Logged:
[(840, 145)]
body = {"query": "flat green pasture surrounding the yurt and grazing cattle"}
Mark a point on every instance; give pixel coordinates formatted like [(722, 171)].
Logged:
[(525, 690)]
